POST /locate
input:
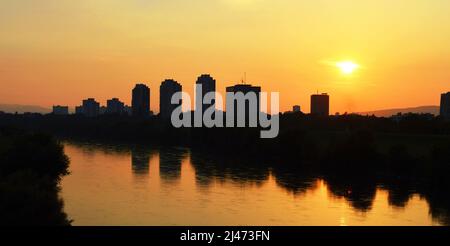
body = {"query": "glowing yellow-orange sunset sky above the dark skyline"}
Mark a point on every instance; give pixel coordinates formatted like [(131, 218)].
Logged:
[(62, 51)]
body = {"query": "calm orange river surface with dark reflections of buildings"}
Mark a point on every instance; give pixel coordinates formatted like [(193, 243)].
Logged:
[(185, 187)]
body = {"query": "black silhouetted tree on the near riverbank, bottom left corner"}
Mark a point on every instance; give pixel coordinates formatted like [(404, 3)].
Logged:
[(31, 166)]
